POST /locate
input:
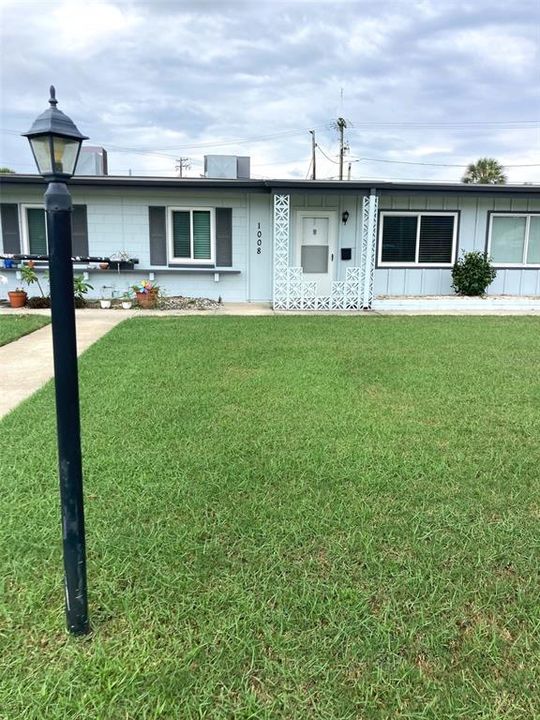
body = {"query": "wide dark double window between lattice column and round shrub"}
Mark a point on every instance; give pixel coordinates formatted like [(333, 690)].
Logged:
[(413, 238)]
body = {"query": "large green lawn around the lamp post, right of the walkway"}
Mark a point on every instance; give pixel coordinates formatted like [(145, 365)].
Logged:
[(287, 517)]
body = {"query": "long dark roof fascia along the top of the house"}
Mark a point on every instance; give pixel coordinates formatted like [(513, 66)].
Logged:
[(268, 186)]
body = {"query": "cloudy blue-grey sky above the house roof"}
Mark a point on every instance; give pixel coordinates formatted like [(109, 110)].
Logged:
[(425, 85)]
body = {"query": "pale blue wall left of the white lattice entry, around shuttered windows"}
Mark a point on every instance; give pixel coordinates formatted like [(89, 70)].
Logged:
[(118, 221)]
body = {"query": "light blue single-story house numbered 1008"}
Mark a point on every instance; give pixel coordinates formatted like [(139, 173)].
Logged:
[(300, 244)]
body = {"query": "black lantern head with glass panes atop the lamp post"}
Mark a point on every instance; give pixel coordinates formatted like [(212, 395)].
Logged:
[(55, 142)]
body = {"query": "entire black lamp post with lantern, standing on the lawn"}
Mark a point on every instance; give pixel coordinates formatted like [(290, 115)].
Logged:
[(56, 143)]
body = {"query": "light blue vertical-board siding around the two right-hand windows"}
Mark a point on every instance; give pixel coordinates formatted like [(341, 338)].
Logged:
[(472, 235)]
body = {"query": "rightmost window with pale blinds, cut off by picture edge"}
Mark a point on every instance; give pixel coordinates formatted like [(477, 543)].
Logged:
[(514, 239)]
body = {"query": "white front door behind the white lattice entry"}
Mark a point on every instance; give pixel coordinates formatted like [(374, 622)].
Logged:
[(316, 247)]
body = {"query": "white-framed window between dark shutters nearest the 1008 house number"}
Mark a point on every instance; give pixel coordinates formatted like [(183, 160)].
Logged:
[(191, 236)]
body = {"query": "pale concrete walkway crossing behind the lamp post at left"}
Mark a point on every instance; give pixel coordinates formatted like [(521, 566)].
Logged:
[(27, 363)]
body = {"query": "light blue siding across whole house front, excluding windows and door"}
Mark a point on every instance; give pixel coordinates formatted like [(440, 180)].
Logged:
[(118, 221)]
